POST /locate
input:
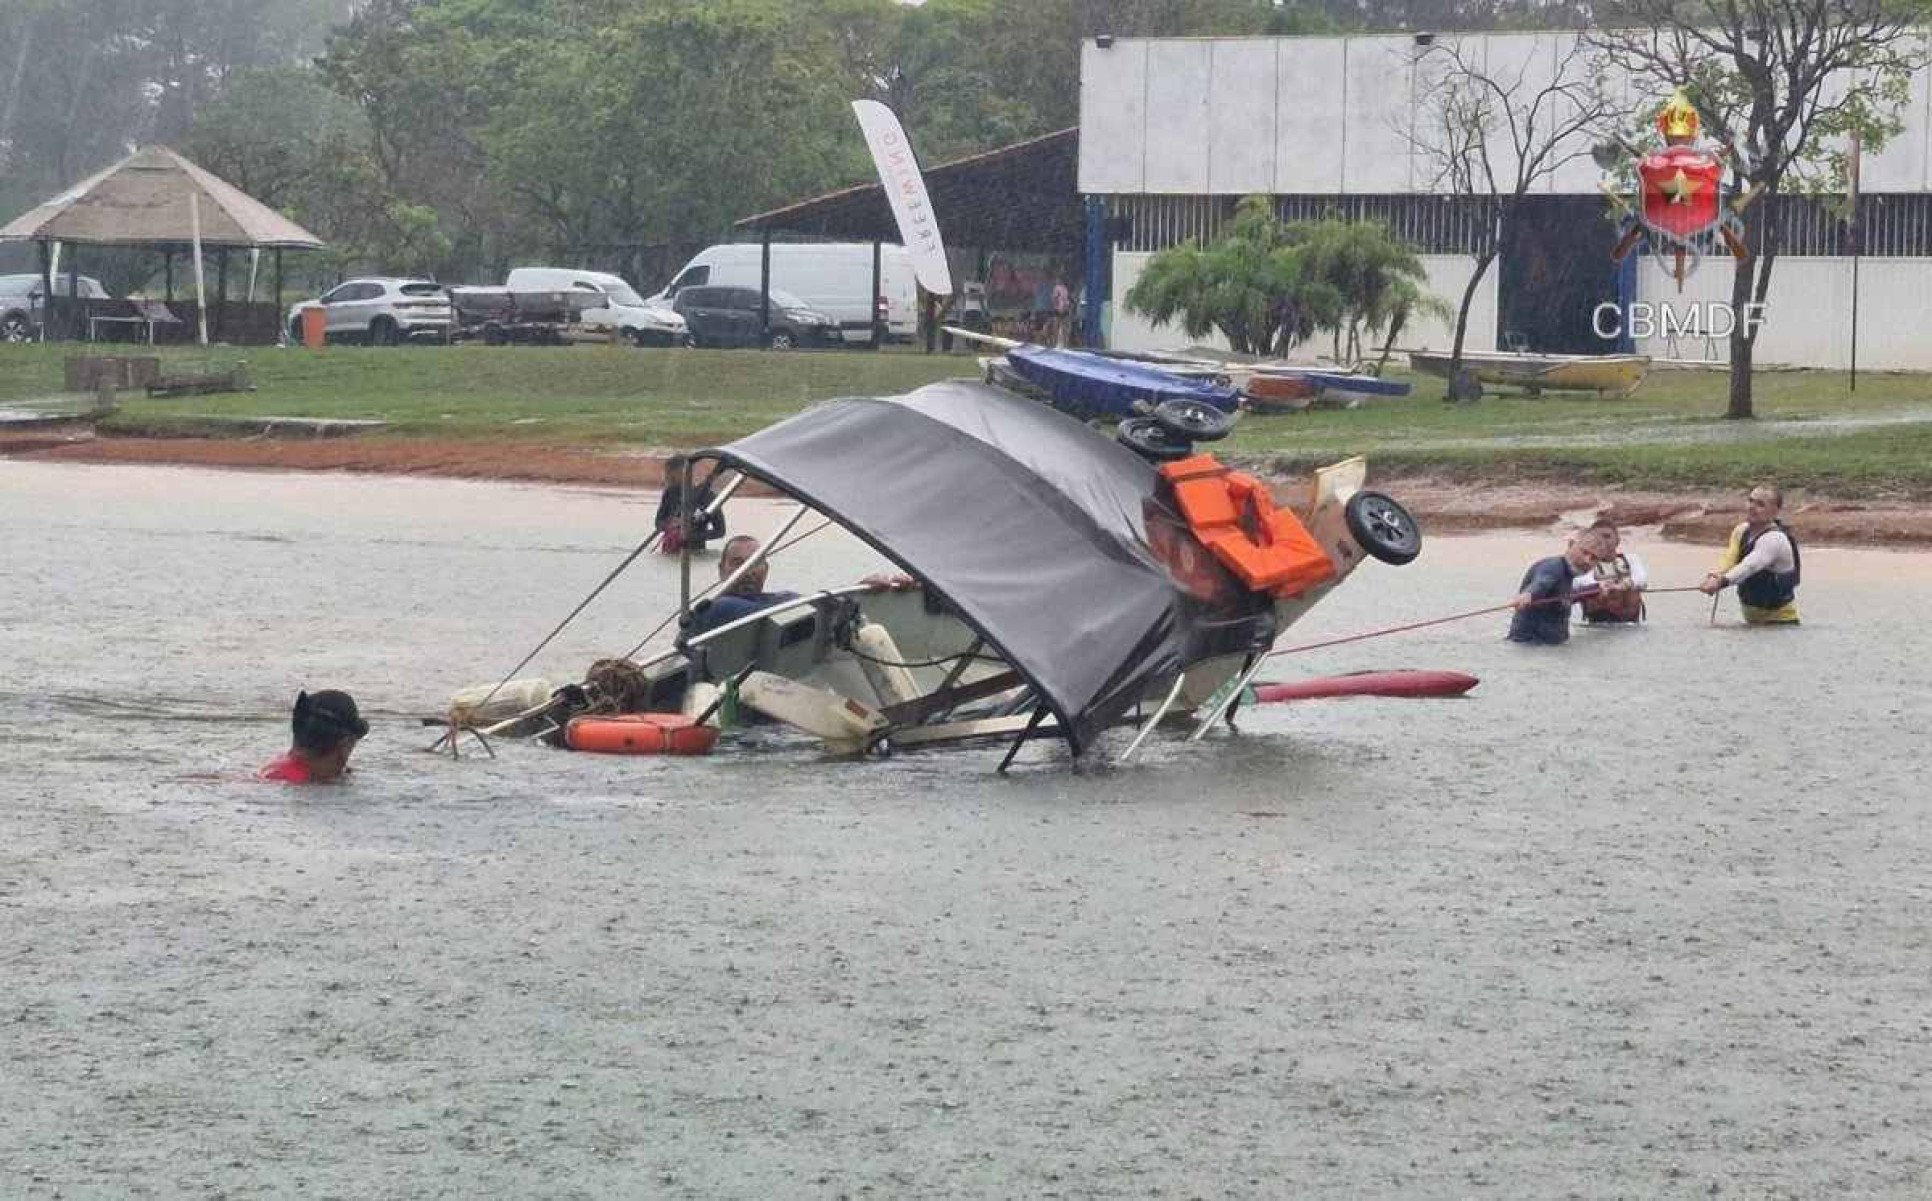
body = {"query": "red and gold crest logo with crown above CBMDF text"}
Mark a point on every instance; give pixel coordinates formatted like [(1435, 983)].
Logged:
[(1680, 211)]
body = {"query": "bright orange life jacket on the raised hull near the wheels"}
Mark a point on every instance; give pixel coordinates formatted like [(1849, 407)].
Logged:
[(1236, 518)]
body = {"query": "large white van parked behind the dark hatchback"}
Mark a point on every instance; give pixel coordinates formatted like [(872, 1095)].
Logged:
[(832, 277)]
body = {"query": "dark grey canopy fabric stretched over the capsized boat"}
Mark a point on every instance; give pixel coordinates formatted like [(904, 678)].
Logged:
[(1029, 524)]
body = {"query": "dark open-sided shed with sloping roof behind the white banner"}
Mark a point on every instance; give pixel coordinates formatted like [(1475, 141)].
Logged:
[(1021, 198)]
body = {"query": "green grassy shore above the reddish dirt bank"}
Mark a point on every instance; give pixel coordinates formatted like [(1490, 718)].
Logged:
[(1811, 432)]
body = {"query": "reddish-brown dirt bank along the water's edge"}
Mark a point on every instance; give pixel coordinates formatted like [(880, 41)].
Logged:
[(1442, 505)]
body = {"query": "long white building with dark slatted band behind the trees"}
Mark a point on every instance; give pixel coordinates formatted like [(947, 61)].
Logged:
[(1176, 130)]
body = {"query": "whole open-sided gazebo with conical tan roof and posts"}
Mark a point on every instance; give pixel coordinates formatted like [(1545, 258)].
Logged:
[(161, 202)]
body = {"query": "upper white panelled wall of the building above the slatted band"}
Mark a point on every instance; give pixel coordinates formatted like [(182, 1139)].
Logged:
[(1338, 115)]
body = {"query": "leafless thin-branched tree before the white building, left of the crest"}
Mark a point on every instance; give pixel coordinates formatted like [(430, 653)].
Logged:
[(1496, 134)]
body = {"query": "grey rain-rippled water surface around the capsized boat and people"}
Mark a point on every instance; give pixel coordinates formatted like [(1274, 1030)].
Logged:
[(1643, 916)]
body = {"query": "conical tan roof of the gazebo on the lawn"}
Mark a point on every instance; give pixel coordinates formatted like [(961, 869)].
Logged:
[(144, 200)]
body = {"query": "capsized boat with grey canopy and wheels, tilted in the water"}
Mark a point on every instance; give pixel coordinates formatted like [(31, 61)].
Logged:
[(1067, 584)]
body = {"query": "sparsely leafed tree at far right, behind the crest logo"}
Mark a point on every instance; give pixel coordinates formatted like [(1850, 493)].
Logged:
[(1782, 82)]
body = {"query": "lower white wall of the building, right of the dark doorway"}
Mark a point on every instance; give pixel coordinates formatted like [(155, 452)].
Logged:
[(1807, 314)]
